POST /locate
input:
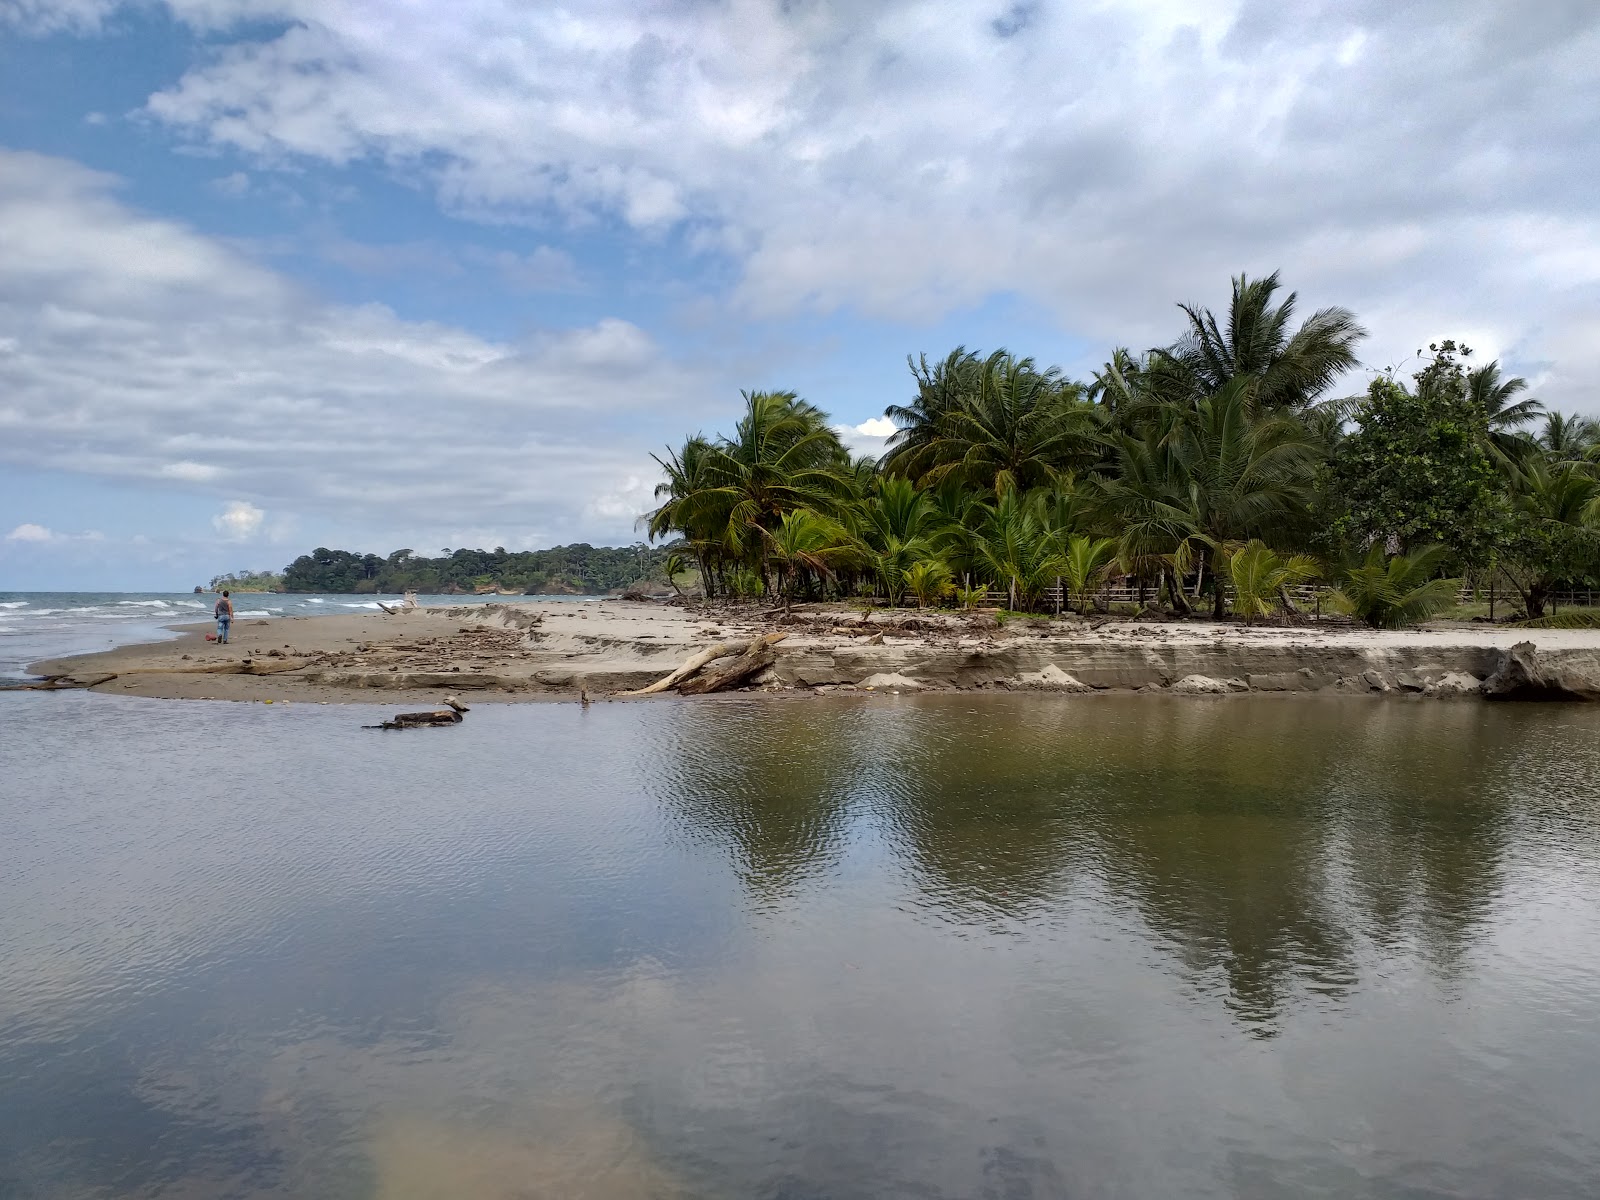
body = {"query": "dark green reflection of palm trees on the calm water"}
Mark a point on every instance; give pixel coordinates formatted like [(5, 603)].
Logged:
[(1266, 855)]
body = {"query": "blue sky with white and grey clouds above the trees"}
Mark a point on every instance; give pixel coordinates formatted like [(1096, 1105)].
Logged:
[(380, 274)]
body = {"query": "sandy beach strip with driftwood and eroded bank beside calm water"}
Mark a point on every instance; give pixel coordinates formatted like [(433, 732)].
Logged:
[(554, 650)]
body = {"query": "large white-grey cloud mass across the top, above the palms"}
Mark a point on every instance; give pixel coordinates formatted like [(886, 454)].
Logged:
[(1422, 162)]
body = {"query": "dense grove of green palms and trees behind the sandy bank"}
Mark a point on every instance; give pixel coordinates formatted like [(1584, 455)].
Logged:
[(1212, 473)]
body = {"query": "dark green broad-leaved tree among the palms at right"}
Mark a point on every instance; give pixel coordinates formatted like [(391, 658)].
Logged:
[(1418, 468)]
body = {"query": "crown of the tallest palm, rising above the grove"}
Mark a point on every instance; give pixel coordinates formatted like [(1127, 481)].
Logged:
[(1290, 369)]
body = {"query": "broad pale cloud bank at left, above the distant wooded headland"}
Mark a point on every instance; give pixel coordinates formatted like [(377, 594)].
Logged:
[(142, 351)]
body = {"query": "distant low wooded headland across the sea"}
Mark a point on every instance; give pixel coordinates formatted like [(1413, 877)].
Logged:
[(574, 570)]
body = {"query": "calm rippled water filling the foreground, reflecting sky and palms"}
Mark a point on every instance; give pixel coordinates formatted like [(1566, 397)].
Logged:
[(874, 948)]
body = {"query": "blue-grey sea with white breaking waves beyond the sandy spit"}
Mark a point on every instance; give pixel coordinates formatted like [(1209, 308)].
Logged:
[(50, 625)]
